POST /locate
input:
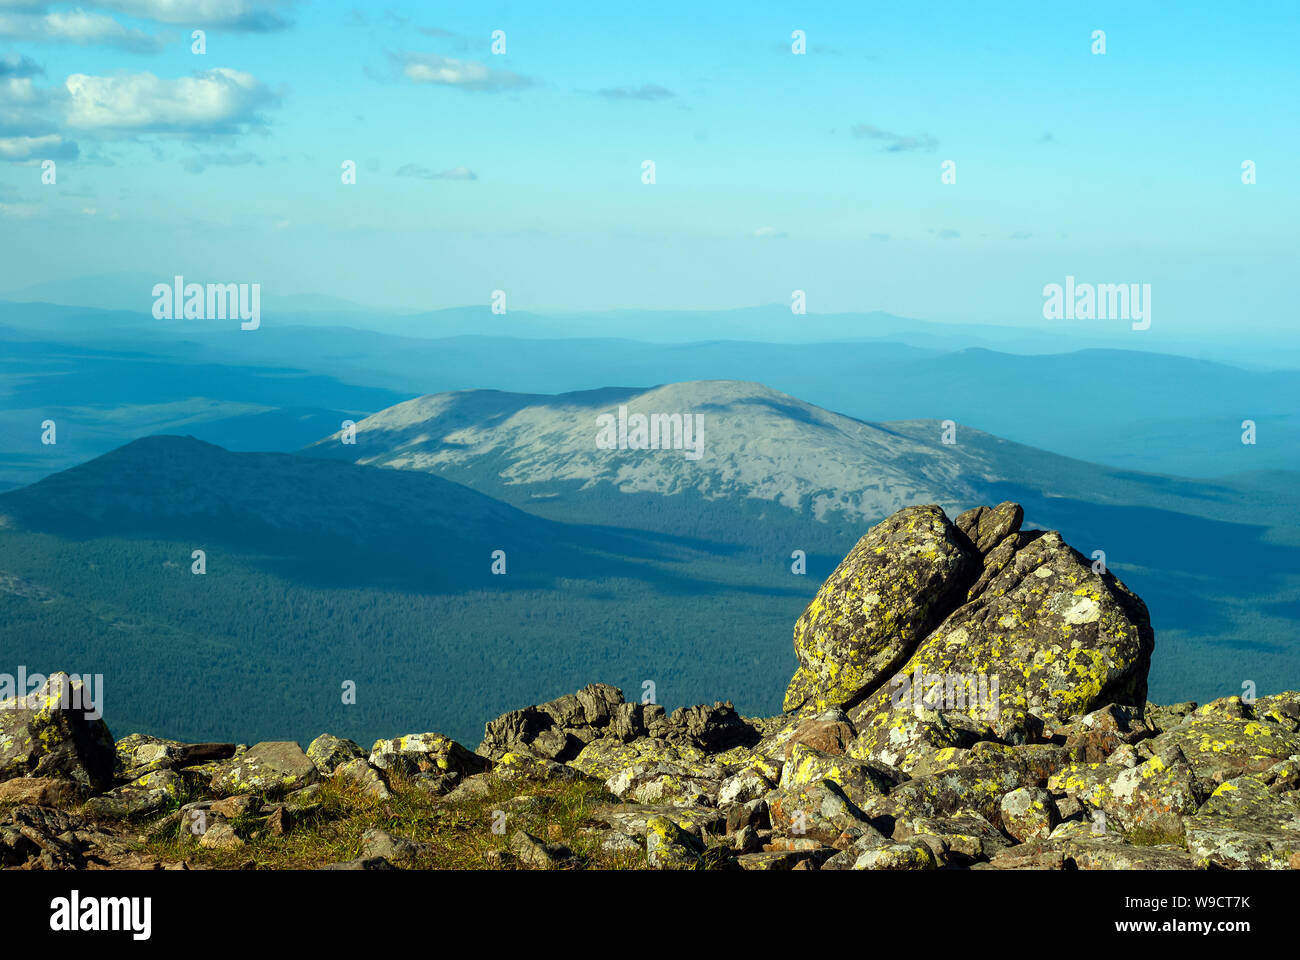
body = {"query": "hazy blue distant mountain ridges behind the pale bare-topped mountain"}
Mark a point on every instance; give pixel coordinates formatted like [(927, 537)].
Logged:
[(111, 383)]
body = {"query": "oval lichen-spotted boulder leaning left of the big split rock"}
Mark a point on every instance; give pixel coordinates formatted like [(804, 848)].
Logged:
[(900, 581)]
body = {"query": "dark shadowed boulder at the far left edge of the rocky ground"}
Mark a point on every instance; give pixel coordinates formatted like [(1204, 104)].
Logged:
[(53, 733)]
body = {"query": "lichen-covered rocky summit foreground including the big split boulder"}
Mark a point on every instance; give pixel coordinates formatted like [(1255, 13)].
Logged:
[(968, 695)]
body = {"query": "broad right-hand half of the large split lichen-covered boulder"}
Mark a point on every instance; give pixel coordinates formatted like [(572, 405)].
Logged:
[(1045, 642)]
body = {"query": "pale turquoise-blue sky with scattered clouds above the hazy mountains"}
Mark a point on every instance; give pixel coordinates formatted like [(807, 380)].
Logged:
[(774, 172)]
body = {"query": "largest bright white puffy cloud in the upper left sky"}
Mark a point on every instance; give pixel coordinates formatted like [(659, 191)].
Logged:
[(216, 102)]
